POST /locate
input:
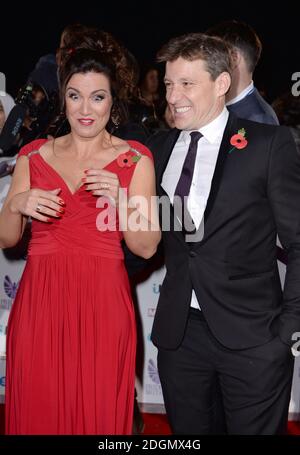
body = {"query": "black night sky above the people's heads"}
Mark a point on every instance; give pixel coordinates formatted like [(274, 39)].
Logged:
[(30, 30)]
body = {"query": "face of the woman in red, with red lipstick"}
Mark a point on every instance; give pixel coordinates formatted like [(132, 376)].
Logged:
[(88, 103)]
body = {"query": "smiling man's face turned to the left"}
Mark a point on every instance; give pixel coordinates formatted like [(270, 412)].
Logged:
[(194, 98)]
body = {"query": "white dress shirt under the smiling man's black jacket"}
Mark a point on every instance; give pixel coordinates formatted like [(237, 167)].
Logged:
[(207, 154)]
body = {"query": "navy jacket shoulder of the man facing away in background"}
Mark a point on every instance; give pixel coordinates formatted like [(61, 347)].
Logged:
[(254, 107)]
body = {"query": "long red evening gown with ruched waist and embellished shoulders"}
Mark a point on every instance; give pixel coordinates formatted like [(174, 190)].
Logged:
[(71, 334)]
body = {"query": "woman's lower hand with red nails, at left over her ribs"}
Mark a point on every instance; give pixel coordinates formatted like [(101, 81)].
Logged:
[(38, 204)]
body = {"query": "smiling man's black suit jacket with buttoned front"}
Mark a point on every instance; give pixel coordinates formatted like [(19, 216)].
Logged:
[(255, 194)]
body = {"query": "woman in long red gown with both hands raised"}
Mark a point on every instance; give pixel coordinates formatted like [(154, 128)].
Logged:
[(71, 334)]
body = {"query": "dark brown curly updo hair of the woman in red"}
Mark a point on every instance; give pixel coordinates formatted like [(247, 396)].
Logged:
[(98, 51)]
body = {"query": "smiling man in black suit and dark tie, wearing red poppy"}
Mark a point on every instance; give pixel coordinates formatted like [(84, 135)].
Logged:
[(222, 321)]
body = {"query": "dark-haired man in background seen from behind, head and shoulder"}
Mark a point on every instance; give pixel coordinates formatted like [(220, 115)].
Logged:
[(243, 99)]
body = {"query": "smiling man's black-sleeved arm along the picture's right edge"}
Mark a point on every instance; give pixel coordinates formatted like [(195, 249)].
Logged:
[(284, 196)]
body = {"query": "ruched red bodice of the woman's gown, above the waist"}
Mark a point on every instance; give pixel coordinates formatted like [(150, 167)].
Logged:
[(78, 229)]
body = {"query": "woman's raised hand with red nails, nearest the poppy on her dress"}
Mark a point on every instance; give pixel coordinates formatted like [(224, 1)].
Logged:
[(102, 183)]
